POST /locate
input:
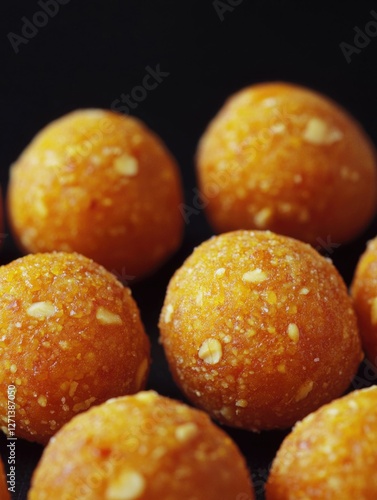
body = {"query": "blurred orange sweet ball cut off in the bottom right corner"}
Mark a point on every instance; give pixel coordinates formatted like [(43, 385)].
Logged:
[(331, 453)]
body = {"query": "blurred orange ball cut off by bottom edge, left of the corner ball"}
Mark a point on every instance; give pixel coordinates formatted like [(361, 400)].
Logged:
[(144, 447)]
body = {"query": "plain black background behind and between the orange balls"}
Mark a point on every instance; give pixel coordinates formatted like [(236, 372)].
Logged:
[(93, 51)]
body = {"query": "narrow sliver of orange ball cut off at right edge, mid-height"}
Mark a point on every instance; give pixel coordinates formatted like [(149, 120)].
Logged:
[(364, 293)]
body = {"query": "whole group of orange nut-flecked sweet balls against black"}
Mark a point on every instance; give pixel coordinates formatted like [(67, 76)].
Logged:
[(258, 328)]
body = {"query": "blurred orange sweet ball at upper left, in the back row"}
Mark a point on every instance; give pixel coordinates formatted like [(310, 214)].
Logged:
[(101, 184)]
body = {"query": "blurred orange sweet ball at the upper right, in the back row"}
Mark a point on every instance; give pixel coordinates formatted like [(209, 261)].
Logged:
[(282, 157)]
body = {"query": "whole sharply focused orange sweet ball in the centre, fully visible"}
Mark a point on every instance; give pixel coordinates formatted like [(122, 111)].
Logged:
[(259, 330)]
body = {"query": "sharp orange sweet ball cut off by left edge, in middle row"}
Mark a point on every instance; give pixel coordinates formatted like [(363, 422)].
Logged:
[(71, 337)]
